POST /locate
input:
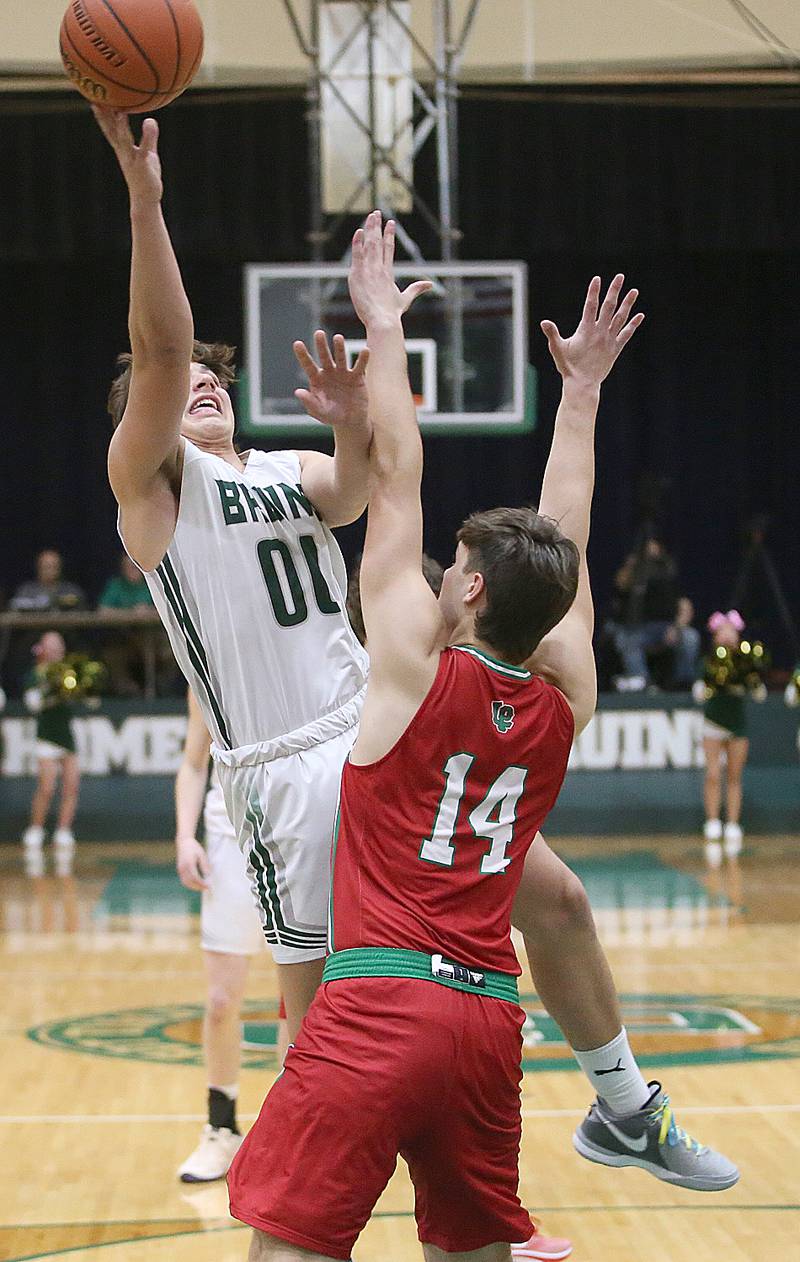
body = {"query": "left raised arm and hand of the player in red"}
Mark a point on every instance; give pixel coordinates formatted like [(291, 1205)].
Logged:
[(401, 614)]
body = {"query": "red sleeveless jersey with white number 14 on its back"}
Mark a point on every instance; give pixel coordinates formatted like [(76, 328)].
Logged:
[(432, 839)]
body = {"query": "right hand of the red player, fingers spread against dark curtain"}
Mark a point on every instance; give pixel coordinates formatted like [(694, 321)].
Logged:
[(591, 353)]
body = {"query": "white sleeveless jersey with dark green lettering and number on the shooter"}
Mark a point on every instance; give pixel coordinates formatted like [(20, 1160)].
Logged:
[(252, 591)]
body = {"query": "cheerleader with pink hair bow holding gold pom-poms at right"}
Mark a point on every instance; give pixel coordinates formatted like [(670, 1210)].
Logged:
[(734, 671)]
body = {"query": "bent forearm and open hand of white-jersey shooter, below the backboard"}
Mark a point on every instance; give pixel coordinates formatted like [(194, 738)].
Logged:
[(338, 397)]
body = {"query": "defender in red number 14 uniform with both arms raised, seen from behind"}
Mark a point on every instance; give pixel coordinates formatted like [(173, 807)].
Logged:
[(413, 1044)]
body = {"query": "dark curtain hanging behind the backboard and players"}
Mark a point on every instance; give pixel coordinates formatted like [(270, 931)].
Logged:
[(696, 203)]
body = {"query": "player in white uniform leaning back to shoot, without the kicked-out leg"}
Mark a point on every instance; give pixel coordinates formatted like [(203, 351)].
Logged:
[(245, 574)]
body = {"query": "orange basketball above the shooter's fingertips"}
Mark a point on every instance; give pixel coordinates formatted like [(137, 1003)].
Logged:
[(132, 55)]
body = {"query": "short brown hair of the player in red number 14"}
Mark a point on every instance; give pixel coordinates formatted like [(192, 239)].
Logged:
[(531, 571)]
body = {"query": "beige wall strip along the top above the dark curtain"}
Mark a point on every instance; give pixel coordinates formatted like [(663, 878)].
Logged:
[(250, 42)]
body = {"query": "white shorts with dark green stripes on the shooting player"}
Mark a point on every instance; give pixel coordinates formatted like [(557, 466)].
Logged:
[(282, 798)]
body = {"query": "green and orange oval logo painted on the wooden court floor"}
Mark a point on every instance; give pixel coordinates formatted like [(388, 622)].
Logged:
[(666, 1030)]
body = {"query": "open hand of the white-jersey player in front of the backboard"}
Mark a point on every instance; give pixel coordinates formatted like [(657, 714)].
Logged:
[(336, 396)]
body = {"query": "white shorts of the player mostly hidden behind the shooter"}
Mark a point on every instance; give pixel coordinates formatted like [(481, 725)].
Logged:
[(230, 921)]
